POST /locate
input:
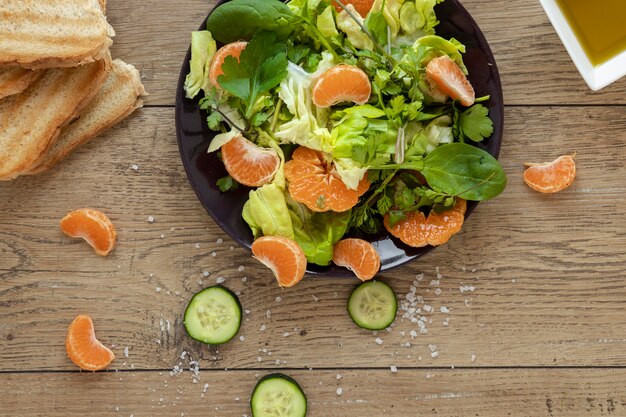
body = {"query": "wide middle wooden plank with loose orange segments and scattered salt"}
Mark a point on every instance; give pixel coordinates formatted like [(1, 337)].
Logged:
[(547, 271)]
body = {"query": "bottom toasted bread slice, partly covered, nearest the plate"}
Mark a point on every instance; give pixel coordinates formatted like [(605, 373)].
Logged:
[(118, 98)]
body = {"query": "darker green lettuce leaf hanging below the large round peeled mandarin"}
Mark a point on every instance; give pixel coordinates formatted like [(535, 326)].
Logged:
[(317, 233)]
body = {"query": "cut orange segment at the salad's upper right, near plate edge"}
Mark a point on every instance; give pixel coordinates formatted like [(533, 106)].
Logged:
[(450, 80)]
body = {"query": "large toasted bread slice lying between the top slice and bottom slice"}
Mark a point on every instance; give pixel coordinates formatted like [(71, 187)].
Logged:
[(31, 120)]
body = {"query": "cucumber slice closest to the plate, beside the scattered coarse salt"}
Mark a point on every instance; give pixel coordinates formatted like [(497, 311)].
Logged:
[(373, 305)]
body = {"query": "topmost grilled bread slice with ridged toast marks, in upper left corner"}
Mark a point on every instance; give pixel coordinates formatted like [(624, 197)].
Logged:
[(52, 33)]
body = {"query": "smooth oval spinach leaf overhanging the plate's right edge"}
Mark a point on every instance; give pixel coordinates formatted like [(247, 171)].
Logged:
[(464, 171)]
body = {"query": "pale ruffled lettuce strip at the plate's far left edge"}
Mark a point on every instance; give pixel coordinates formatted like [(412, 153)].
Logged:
[(203, 49)]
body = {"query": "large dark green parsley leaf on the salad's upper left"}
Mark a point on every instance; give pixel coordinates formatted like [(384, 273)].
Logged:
[(261, 67)]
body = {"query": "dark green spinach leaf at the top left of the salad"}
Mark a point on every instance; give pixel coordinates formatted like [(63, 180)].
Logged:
[(241, 19)]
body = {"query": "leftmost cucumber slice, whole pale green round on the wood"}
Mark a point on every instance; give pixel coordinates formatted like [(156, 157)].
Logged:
[(213, 316)]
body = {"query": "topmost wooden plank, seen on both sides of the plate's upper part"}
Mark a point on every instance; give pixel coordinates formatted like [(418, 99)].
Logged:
[(534, 65)]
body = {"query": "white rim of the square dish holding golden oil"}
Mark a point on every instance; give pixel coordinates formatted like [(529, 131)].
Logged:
[(596, 77)]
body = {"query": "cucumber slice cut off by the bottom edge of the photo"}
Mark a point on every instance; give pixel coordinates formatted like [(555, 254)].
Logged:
[(278, 395)]
